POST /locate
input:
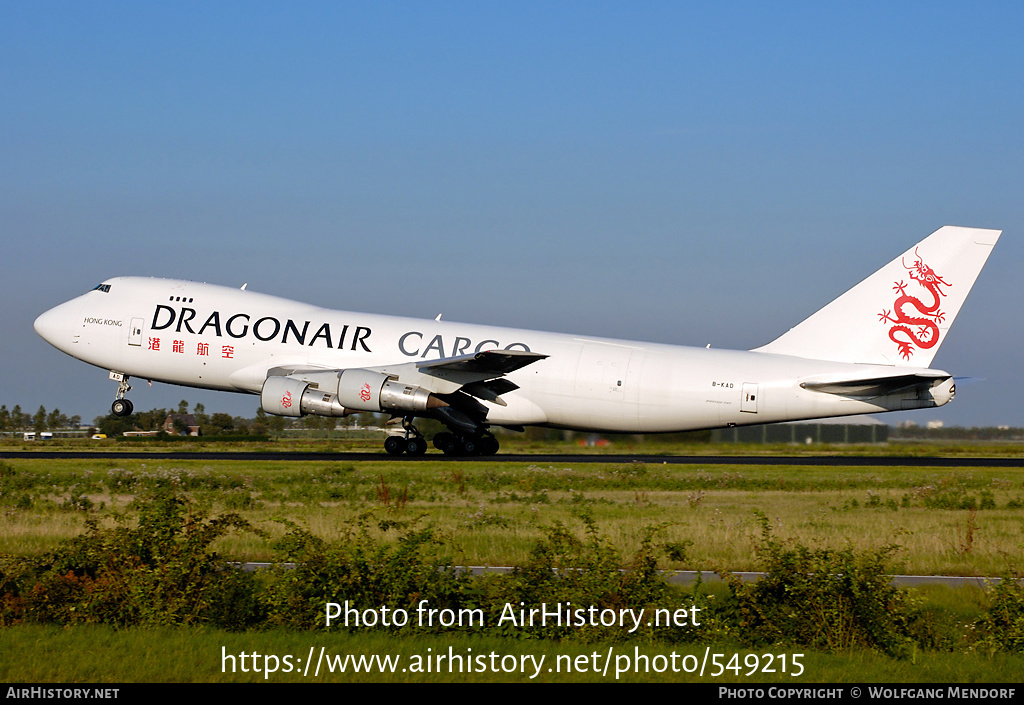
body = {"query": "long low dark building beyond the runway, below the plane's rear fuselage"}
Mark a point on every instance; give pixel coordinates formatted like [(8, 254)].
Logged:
[(854, 430)]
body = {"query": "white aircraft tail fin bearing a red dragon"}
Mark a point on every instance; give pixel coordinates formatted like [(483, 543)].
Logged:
[(900, 315)]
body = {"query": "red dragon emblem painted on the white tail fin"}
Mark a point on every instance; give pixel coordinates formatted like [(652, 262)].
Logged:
[(912, 330)]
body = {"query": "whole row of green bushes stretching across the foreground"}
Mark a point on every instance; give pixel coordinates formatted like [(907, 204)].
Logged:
[(162, 571)]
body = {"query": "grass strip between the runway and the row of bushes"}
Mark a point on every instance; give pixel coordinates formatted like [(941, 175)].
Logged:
[(963, 522)]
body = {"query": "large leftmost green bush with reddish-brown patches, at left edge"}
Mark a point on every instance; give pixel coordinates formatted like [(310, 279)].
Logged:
[(160, 572)]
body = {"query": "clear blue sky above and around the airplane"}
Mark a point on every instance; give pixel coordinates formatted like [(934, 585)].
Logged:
[(677, 173)]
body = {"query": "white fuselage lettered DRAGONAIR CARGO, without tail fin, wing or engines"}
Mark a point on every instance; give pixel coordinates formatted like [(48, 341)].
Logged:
[(216, 338)]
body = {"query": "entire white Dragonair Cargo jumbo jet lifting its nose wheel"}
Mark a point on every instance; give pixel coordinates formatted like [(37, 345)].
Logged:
[(868, 352)]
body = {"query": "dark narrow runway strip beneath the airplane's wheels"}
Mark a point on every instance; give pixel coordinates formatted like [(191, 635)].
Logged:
[(808, 461)]
